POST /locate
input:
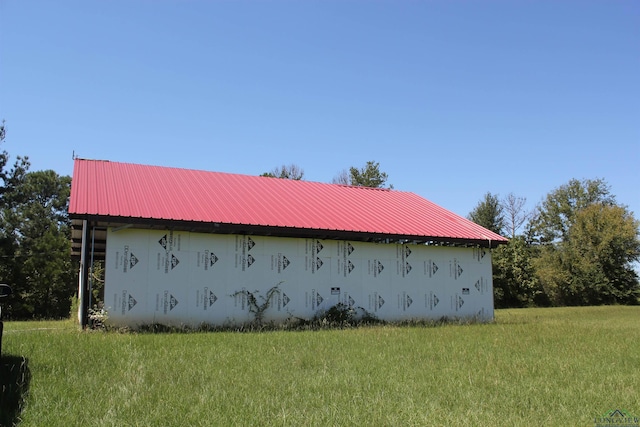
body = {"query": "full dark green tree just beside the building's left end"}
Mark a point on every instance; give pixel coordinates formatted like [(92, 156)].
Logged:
[(38, 222)]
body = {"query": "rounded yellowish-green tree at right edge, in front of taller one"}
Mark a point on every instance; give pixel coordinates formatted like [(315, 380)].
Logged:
[(594, 263)]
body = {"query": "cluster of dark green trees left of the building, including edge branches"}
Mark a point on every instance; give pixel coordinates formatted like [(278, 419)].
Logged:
[(35, 245)]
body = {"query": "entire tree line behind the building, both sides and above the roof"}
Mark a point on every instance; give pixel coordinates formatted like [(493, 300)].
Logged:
[(576, 248)]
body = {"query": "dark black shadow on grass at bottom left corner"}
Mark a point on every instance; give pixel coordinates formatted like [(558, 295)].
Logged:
[(14, 386)]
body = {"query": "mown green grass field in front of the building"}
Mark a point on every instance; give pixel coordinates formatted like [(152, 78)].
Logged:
[(551, 367)]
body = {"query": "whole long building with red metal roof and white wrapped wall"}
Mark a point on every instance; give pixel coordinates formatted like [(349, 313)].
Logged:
[(183, 247)]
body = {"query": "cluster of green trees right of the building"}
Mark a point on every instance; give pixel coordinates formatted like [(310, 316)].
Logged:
[(577, 247)]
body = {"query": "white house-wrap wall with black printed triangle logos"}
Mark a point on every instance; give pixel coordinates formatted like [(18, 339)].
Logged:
[(182, 278)]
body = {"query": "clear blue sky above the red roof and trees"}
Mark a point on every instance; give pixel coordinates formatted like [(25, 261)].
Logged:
[(453, 98)]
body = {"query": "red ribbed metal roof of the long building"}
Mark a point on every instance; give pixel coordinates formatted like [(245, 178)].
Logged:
[(104, 189)]
